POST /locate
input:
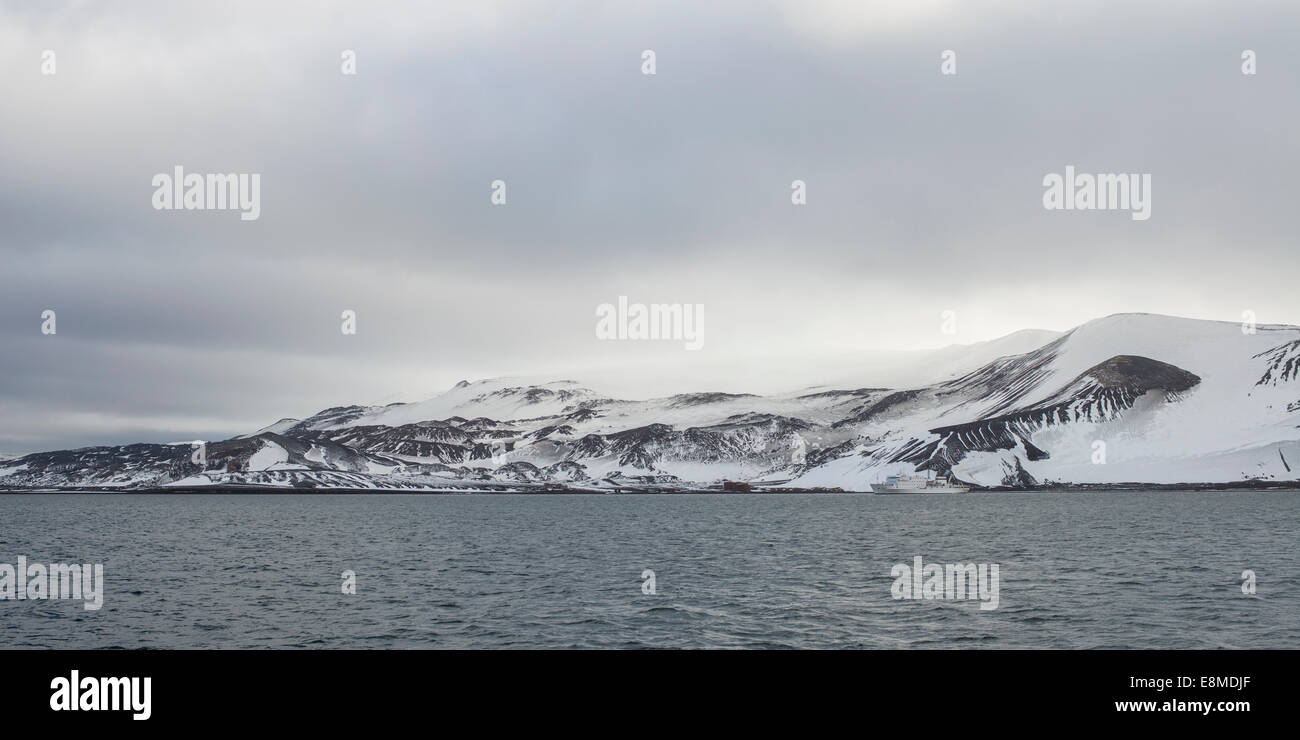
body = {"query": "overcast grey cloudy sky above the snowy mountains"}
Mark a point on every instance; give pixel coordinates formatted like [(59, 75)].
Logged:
[(925, 192)]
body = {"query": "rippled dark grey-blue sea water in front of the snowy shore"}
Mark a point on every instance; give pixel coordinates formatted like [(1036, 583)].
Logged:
[(1078, 570)]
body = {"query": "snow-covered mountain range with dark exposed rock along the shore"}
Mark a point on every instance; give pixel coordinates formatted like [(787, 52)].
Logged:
[(1128, 399)]
